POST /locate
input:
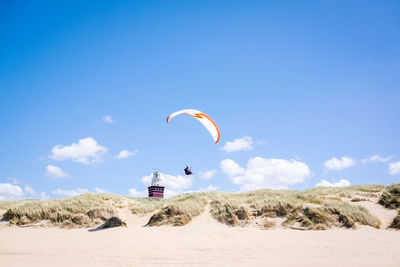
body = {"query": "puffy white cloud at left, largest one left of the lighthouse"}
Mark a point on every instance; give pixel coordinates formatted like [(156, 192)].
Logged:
[(86, 151)]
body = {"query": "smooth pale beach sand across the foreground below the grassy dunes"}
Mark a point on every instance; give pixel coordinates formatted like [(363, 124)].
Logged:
[(203, 242)]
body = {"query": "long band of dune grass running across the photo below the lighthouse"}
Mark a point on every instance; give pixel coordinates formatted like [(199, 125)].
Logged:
[(316, 208)]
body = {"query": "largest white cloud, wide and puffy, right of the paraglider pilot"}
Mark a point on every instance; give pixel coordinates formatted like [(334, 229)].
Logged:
[(266, 173)]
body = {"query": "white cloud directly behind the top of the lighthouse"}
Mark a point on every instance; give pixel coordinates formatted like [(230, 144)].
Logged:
[(173, 184)]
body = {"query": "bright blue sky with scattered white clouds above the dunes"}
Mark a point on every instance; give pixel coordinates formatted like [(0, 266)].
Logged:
[(296, 84)]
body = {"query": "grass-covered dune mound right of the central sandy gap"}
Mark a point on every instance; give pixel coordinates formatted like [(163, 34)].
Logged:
[(293, 206)]
